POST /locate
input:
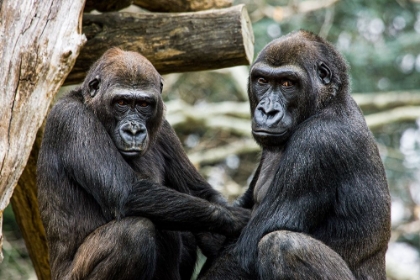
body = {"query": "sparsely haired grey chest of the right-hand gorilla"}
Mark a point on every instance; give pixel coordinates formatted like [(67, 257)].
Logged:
[(269, 167)]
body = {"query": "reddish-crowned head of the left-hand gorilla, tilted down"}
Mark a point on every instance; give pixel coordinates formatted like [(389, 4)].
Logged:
[(125, 94)]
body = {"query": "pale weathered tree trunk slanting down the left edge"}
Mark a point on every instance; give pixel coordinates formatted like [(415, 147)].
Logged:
[(39, 43)]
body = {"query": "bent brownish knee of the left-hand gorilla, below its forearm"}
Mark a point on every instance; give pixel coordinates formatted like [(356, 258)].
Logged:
[(124, 249)]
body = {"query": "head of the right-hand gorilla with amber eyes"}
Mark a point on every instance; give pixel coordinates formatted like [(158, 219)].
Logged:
[(285, 89)]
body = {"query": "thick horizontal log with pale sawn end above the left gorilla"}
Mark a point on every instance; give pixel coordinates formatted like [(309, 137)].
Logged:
[(172, 42)]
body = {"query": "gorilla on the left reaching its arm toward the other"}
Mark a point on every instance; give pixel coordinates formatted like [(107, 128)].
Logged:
[(118, 196)]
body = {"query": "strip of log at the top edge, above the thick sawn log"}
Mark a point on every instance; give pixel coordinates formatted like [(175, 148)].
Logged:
[(182, 5)]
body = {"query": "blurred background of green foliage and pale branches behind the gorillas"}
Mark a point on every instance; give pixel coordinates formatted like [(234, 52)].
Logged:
[(209, 110)]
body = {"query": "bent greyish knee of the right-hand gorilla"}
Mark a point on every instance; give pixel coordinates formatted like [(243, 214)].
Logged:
[(292, 255)]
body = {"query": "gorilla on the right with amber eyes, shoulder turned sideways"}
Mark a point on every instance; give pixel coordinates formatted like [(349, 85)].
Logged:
[(319, 199)]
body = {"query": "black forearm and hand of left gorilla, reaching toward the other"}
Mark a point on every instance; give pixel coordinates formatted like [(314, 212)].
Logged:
[(171, 210)]
